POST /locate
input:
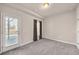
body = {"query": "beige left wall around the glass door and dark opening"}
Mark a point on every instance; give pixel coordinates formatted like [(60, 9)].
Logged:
[(26, 25)]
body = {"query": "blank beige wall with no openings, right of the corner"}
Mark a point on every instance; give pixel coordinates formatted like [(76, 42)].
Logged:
[(61, 27)]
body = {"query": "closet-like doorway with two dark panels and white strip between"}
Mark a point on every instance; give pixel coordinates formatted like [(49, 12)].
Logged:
[(37, 34)]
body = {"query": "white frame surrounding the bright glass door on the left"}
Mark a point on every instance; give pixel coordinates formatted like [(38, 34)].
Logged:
[(4, 49)]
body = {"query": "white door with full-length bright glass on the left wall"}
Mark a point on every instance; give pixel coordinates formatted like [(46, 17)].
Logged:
[(10, 33)]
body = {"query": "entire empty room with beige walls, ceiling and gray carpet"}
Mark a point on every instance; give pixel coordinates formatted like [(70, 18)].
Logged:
[(39, 29)]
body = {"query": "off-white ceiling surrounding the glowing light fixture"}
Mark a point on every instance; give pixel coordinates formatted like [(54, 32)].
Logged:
[(54, 8)]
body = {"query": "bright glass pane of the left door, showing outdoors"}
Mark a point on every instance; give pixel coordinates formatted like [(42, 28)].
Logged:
[(11, 31)]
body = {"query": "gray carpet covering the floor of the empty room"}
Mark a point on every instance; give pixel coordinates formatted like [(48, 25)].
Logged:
[(45, 47)]
